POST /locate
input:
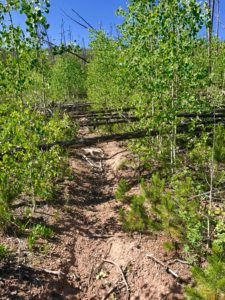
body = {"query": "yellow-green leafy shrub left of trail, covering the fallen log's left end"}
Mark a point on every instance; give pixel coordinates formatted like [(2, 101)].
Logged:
[(24, 166)]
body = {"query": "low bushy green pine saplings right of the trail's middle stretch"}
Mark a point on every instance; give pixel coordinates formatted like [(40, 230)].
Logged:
[(169, 209)]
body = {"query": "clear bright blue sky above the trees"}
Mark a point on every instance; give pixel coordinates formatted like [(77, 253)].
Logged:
[(99, 13)]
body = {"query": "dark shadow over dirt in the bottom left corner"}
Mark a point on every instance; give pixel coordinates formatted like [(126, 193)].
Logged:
[(14, 275)]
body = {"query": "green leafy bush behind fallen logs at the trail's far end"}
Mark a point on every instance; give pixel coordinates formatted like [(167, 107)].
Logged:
[(105, 81)]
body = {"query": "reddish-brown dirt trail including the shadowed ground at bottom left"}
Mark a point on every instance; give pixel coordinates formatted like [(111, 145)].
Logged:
[(95, 257)]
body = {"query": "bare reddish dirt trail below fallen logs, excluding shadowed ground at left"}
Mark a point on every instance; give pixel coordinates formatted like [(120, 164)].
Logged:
[(100, 237)]
